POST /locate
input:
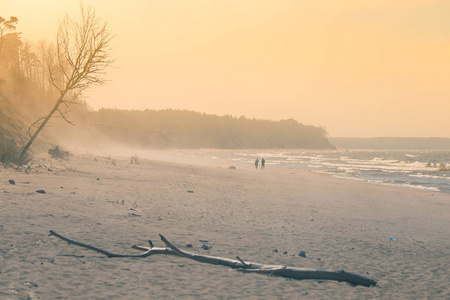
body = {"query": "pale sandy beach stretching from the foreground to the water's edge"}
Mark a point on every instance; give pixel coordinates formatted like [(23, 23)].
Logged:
[(262, 216)]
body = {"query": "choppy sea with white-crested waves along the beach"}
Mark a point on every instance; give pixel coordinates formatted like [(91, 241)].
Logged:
[(425, 170)]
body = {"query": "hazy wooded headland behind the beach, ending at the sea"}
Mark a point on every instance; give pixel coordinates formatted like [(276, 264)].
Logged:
[(188, 129)]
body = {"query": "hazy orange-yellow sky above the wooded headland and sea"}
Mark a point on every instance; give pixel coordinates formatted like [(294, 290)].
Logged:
[(358, 68)]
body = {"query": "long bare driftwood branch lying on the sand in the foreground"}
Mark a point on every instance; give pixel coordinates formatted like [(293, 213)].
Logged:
[(238, 263)]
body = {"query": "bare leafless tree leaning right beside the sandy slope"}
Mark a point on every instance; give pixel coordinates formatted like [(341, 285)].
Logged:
[(76, 63)]
